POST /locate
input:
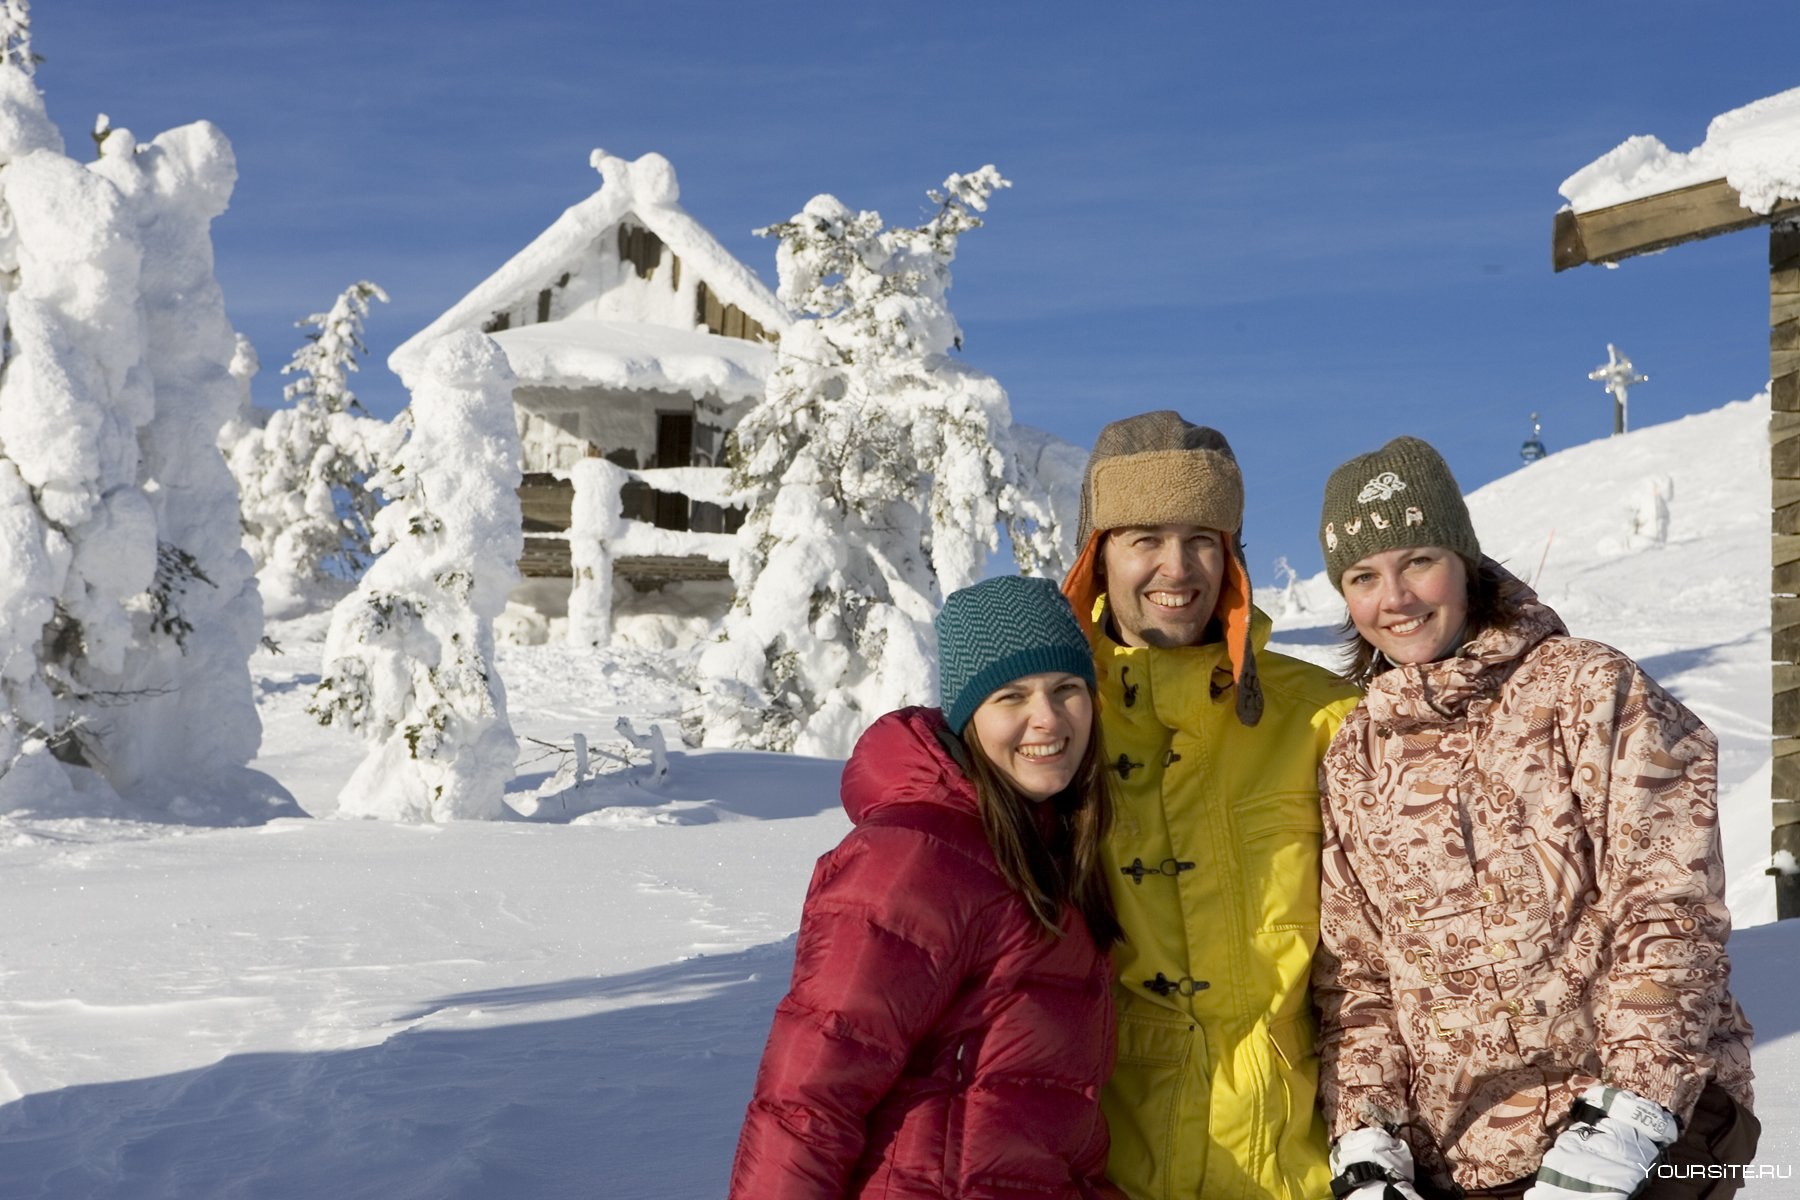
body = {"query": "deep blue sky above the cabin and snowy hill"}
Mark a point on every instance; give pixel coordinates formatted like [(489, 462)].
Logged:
[(1311, 226)]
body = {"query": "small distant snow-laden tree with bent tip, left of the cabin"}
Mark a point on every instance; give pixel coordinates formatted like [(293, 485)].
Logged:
[(303, 472)]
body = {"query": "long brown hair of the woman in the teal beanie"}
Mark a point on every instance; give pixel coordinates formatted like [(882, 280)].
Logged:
[(1063, 868)]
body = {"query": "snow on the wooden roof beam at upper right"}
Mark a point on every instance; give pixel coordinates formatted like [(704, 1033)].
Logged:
[(1754, 148)]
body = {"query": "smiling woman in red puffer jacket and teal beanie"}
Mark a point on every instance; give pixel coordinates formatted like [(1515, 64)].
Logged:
[(949, 1025)]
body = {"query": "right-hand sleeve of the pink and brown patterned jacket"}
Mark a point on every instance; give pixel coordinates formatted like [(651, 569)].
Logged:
[(1646, 775)]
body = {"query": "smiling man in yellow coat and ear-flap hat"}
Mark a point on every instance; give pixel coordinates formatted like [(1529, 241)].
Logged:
[(1214, 855)]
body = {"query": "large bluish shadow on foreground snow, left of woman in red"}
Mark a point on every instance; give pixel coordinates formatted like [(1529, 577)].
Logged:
[(642, 1100)]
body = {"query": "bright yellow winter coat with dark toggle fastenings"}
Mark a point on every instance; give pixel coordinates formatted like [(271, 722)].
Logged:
[(1216, 872)]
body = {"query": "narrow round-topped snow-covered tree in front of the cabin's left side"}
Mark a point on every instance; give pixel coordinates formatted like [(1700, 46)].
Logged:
[(409, 659)]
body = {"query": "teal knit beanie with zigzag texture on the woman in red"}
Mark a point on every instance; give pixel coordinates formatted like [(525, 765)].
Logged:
[(1002, 631)]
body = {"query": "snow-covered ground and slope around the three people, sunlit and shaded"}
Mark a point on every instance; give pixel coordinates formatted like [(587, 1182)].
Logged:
[(573, 1003)]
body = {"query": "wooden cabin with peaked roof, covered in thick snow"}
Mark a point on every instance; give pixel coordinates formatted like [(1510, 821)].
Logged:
[(636, 337)]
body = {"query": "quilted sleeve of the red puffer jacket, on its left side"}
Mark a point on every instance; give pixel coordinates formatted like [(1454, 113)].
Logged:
[(883, 947)]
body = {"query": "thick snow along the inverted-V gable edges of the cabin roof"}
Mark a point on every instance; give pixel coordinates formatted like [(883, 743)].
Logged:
[(643, 190)]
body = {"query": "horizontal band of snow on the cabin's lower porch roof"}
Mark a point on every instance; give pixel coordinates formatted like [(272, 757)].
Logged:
[(636, 357)]
